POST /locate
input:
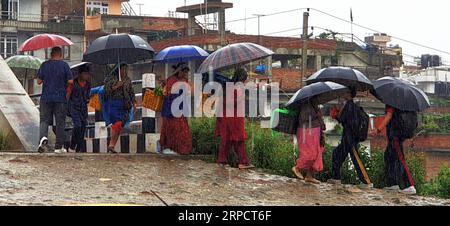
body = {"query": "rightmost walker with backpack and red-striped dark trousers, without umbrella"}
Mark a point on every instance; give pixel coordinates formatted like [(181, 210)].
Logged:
[(396, 169)]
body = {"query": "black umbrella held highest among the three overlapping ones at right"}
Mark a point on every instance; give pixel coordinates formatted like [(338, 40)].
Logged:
[(343, 75)]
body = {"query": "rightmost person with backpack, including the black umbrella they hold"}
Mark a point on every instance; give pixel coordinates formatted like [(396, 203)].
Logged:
[(403, 101)]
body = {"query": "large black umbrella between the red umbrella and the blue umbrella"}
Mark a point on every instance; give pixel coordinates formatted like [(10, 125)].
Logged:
[(115, 48)]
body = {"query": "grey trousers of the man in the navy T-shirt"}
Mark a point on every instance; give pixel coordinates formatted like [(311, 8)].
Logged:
[(46, 114)]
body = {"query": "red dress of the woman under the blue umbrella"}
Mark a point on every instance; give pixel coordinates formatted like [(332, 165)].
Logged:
[(175, 132)]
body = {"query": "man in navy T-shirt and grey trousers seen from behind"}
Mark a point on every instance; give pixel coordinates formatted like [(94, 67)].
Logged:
[(55, 76)]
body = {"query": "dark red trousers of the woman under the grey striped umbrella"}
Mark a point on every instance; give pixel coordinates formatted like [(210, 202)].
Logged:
[(239, 148)]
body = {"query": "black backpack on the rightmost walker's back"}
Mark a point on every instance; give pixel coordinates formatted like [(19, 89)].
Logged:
[(405, 124)]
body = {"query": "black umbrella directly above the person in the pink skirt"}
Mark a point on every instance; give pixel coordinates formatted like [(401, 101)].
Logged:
[(323, 92)]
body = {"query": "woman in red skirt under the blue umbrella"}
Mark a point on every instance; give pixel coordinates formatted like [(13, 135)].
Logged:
[(176, 136)]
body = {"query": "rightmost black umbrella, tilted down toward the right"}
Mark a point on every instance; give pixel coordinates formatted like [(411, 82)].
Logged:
[(400, 94)]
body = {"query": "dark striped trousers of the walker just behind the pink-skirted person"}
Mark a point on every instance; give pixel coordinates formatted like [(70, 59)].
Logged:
[(348, 146)]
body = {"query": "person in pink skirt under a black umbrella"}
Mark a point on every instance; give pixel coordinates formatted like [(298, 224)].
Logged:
[(310, 142)]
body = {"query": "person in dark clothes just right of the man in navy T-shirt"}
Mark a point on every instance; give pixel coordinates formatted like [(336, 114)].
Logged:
[(78, 95)]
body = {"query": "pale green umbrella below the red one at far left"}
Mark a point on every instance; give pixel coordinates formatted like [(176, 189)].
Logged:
[(24, 65)]
